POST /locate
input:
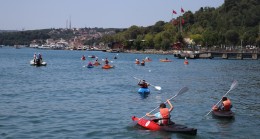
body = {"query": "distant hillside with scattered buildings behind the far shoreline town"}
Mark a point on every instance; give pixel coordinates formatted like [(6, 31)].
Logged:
[(83, 35)]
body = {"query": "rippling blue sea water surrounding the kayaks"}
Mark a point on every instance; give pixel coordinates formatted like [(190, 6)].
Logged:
[(67, 100)]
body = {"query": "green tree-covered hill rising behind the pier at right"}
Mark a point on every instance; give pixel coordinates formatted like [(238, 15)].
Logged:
[(229, 24)]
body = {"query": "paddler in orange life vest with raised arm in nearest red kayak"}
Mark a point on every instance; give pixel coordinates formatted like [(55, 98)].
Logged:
[(163, 115)]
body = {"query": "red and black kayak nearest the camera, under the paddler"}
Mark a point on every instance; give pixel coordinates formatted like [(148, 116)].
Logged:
[(151, 125)]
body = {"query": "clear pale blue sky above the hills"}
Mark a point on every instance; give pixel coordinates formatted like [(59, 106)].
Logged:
[(42, 14)]
